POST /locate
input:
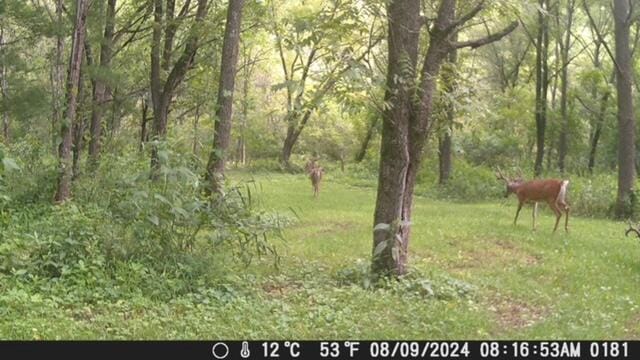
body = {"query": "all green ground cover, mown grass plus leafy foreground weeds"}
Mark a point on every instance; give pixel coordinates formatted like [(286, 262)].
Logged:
[(524, 284)]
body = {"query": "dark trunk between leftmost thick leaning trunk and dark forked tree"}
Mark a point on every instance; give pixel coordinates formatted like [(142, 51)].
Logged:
[(100, 88)]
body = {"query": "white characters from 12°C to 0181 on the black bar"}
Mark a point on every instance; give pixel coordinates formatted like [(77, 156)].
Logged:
[(445, 349)]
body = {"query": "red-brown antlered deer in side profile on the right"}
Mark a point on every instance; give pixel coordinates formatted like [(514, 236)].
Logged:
[(551, 191)]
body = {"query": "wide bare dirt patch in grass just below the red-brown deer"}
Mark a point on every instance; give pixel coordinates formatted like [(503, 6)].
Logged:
[(495, 254)]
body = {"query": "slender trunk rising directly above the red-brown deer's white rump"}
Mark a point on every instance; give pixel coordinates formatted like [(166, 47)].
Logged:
[(564, 79)]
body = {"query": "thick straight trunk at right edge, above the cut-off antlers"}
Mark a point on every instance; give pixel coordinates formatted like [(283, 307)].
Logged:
[(626, 123)]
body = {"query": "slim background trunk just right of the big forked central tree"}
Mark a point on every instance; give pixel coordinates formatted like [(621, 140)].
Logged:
[(445, 156)]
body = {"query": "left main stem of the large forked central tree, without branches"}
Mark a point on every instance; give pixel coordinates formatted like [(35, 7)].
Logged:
[(404, 31)]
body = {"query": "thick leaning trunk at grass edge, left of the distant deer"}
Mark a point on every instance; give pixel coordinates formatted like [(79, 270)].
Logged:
[(222, 138)]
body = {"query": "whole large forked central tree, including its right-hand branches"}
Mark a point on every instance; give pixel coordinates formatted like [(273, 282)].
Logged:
[(407, 120)]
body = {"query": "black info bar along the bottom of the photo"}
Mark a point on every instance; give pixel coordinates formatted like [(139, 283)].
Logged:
[(335, 349)]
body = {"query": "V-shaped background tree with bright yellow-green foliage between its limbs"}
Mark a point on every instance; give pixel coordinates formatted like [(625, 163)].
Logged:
[(322, 52)]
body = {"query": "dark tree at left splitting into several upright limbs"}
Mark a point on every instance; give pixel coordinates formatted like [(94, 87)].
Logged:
[(162, 91)]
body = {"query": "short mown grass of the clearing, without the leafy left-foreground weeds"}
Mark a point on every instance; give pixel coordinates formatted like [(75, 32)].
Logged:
[(584, 284)]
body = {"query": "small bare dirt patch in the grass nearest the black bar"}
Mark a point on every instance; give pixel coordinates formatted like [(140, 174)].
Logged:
[(515, 314)]
